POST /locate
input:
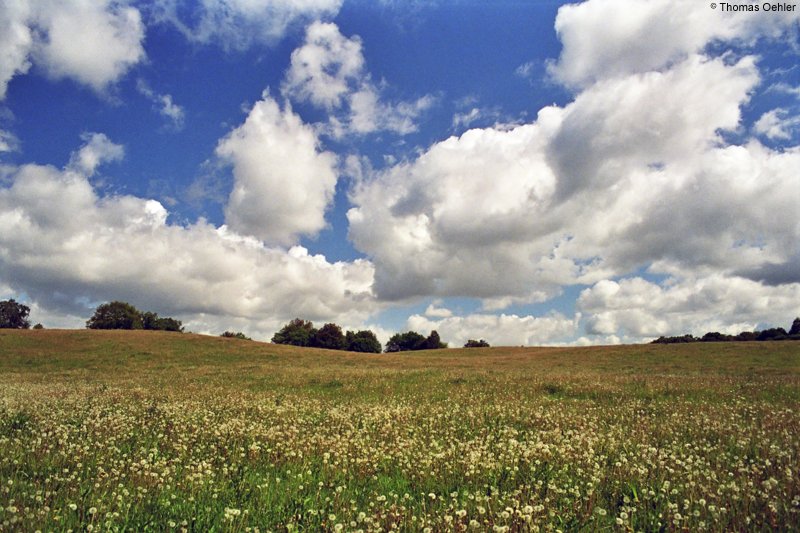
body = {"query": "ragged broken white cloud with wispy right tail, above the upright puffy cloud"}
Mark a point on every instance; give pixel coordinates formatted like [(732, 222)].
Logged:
[(329, 71)]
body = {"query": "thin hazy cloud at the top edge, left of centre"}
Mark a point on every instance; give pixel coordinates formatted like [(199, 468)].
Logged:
[(238, 24)]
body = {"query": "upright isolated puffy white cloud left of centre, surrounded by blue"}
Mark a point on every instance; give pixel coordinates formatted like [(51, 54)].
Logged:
[(283, 182)]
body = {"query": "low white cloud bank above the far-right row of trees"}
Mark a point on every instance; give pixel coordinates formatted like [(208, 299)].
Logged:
[(640, 310)]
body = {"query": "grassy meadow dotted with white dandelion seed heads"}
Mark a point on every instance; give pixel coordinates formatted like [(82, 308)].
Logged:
[(138, 431)]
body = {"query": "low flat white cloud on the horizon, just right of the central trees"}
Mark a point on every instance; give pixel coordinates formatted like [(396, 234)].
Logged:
[(498, 330)]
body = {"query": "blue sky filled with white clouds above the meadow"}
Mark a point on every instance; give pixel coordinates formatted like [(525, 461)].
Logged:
[(525, 172)]
